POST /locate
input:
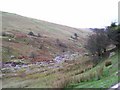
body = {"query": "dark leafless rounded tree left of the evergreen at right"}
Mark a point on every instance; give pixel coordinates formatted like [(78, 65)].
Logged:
[(98, 42)]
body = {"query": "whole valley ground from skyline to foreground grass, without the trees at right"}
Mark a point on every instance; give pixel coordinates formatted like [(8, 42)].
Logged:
[(40, 54)]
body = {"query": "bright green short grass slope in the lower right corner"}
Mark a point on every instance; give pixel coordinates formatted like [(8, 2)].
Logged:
[(108, 78)]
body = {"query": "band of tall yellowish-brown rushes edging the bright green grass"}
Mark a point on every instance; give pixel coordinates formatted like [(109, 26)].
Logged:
[(78, 76)]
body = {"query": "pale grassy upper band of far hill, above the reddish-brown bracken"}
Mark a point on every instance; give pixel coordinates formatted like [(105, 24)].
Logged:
[(24, 24)]
